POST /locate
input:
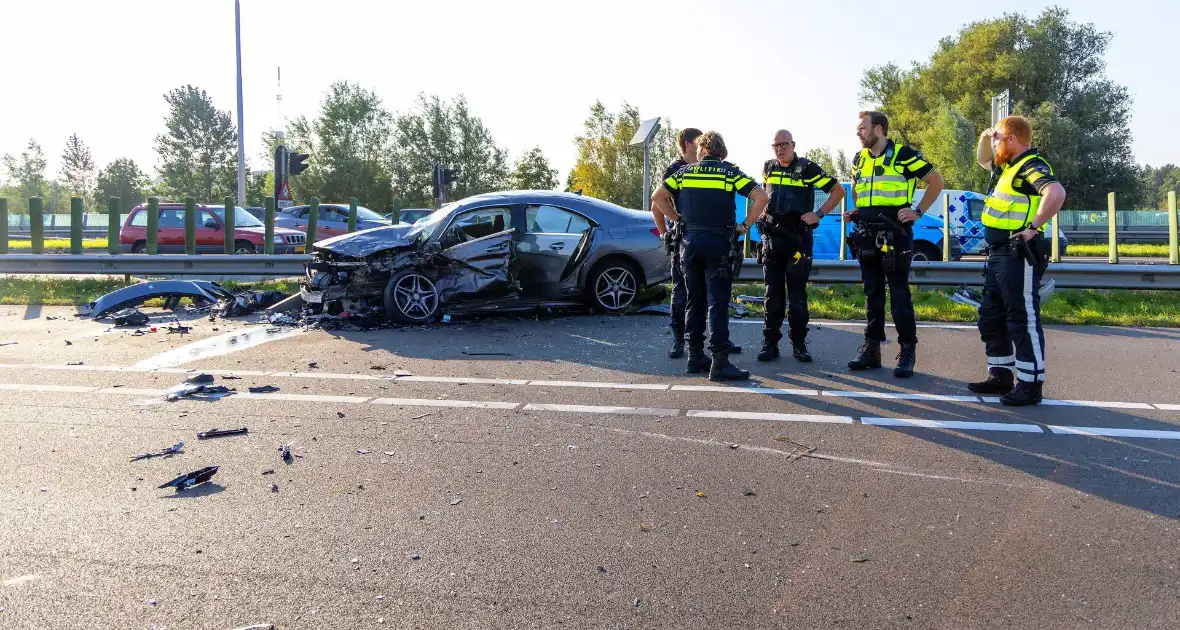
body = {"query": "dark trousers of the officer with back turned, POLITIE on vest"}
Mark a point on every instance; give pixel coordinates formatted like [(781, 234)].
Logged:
[(705, 258)]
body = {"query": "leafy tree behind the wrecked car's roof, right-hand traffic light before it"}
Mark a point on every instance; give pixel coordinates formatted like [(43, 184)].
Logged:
[(448, 134)]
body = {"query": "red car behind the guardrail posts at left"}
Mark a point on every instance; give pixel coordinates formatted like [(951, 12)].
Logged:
[(248, 232)]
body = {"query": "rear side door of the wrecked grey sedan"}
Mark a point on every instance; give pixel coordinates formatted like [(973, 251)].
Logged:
[(552, 238)]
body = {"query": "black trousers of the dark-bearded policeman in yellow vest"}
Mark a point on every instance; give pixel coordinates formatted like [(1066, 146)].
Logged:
[(876, 278)]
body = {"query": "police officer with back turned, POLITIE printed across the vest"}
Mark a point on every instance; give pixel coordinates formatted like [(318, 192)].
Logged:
[(707, 212)]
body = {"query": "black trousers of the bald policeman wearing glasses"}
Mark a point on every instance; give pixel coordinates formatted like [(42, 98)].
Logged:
[(778, 272)]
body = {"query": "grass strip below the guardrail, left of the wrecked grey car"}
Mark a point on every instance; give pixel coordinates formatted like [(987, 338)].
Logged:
[(76, 292)]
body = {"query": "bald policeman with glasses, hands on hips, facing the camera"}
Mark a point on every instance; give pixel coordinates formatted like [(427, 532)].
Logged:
[(788, 241)]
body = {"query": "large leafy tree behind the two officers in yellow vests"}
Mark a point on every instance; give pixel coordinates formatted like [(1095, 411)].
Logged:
[(1056, 70)]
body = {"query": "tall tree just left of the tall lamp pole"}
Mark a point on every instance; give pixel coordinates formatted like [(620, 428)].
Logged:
[(199, 149)]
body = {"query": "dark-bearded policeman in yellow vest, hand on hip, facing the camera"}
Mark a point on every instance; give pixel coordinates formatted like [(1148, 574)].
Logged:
[(886, 176)]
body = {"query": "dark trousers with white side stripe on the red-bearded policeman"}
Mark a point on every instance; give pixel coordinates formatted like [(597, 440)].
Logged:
[(1011, 313)]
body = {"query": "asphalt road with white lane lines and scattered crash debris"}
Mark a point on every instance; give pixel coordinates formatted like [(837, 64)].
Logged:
[(562, 474)]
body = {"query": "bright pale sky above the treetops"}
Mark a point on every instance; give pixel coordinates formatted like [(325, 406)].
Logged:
[(530, 70)]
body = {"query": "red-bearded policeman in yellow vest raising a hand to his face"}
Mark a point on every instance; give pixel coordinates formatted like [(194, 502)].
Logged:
[(1025, 195)]
